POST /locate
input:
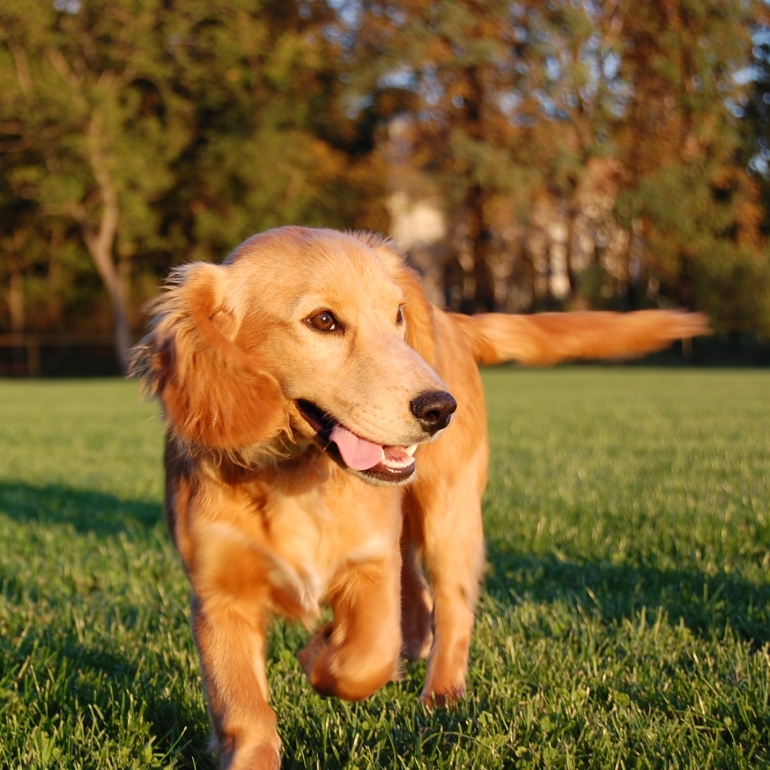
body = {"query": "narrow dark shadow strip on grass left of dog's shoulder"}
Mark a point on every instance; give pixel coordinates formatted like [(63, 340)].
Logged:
[(83, 509)]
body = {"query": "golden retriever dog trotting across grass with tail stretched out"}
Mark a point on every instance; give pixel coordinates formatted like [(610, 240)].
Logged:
[(327, 442)]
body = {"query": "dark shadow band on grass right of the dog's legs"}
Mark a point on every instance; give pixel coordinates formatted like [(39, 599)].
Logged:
[(706, 604)]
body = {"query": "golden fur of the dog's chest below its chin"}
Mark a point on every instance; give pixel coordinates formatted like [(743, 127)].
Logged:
[(296, 525)]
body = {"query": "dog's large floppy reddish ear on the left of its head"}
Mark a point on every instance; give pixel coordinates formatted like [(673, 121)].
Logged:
[(212, 392)]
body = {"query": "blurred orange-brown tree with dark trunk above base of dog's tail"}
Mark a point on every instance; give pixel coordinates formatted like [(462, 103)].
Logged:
[(453, 66)]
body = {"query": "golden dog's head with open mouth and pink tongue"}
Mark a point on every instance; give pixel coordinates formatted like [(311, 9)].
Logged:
[(311, 334)]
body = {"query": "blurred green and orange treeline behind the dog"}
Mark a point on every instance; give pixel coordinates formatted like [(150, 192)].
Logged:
[(529, 155)]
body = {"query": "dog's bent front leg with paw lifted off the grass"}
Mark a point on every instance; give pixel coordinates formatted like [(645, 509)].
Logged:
[(359, 651)]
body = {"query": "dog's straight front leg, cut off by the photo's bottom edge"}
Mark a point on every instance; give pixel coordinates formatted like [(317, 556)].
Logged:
[(232, 651)]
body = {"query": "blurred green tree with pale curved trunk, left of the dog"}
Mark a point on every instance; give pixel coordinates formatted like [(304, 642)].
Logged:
[(85, 94)]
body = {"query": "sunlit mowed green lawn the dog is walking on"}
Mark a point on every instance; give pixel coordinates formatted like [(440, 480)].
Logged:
[(625, 620)]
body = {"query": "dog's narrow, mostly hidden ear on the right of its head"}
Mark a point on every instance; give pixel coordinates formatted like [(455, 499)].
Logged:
[(418, 310)]
